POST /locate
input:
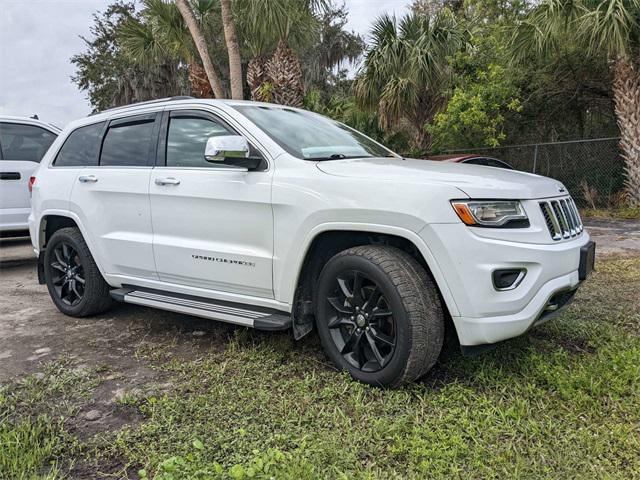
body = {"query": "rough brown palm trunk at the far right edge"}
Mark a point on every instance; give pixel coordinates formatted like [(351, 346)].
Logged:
[(626, 94)]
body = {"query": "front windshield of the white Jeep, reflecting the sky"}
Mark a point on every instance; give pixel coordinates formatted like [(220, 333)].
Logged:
[(310, 136)]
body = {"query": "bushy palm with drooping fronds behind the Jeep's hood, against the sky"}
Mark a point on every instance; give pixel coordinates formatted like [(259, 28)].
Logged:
[(406, 74)]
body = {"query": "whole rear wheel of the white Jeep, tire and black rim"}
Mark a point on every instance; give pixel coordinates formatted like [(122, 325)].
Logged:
[(67, 263)]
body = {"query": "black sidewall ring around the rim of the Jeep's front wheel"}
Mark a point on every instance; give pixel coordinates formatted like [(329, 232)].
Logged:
[(396, 367)]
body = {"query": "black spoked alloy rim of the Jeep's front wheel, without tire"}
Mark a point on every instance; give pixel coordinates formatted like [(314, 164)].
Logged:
[(362, 325)]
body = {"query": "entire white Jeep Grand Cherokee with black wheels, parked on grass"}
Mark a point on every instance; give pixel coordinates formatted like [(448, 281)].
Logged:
[(274, 218)]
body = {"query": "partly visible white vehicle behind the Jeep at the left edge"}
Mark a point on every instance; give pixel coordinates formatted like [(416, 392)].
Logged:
[(23, 143)]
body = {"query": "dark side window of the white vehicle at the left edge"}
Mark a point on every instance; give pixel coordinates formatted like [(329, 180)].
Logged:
[(24, 142)]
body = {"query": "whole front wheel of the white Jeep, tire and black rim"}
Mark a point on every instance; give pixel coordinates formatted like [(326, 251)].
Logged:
[(400, 315)]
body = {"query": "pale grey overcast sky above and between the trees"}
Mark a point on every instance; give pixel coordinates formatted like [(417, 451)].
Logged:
[(38, 37)]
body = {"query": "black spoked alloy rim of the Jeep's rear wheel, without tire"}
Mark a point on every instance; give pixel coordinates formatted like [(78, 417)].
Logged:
[(67, 274)]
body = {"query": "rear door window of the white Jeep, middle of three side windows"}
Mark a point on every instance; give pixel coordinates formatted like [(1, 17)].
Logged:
[(127, 145)]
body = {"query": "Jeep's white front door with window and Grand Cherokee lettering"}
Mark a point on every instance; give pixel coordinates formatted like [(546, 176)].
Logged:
[(212, 224)]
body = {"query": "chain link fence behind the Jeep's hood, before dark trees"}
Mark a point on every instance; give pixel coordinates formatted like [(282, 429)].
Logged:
[(592, 170)]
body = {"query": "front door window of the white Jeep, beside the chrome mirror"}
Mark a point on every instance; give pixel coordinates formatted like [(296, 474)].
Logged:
[(187, 139)]
